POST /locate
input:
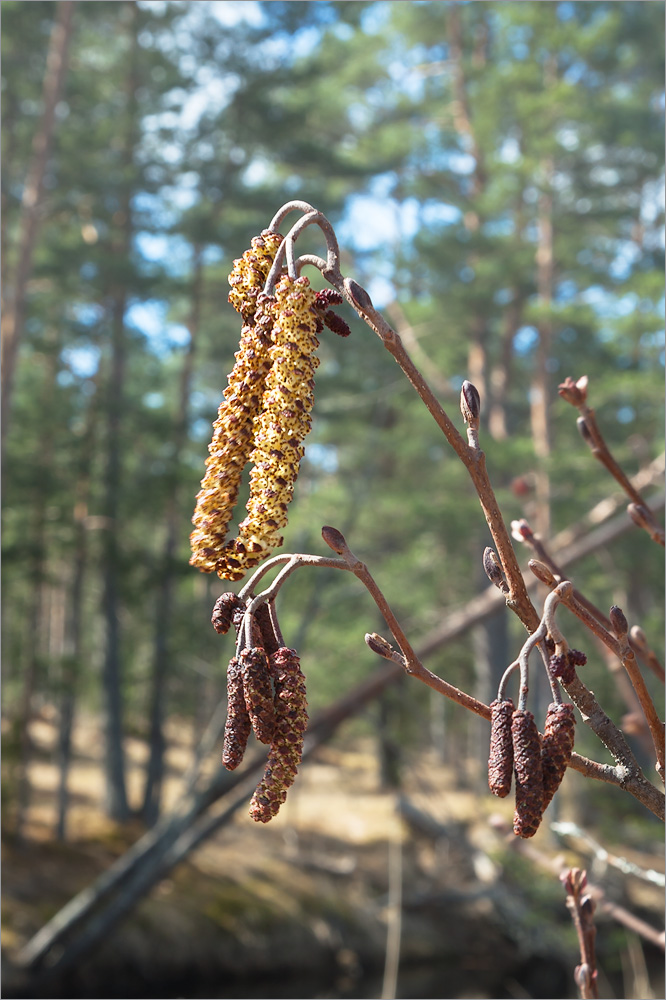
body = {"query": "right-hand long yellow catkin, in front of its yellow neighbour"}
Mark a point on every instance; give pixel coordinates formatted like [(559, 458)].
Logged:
[(280, 424)]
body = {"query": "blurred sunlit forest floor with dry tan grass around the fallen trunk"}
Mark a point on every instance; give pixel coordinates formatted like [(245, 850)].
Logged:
[(303, 906)]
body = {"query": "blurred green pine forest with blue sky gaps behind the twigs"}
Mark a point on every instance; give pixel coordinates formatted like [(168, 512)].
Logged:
[(494, 172)]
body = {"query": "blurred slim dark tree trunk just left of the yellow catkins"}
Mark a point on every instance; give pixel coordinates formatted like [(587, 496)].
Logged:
[(165, 593)]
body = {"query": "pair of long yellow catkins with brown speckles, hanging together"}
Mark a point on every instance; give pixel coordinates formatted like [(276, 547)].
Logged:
[(265, 414)]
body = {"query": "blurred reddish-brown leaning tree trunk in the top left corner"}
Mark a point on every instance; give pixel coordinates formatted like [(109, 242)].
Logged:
[(32, 202)]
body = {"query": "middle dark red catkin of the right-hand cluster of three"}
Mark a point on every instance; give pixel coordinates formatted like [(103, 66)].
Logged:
[(528, 772)]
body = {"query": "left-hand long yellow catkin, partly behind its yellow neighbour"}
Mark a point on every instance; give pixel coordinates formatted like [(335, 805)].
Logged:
[(232, 430)]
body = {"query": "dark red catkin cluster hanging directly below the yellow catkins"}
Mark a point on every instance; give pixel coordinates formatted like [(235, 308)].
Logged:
[(265, 693)]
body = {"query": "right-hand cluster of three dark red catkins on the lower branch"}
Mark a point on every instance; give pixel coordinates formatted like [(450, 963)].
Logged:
[(537, 763)]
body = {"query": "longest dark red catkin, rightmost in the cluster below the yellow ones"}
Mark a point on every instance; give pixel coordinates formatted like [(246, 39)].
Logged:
[(286, 751)]
